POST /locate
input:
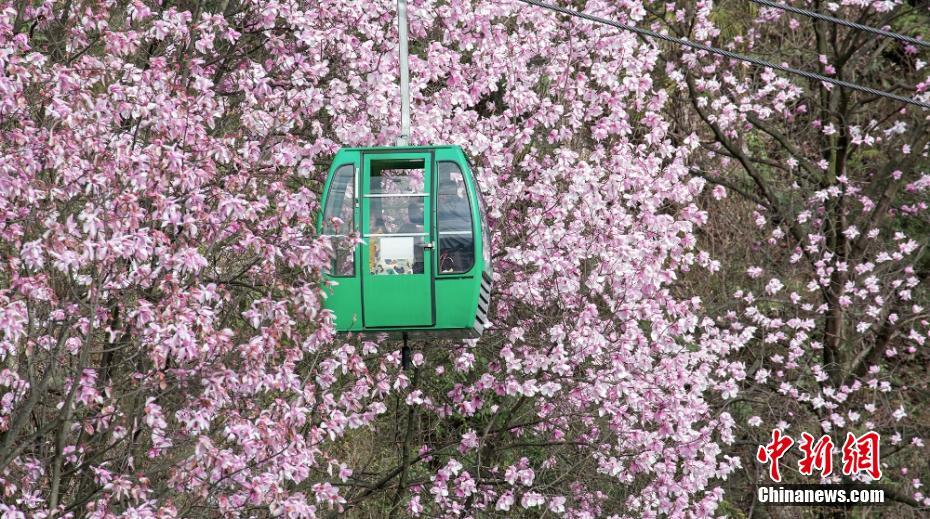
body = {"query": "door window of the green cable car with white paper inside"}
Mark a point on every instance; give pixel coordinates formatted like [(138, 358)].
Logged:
[(396, 204)]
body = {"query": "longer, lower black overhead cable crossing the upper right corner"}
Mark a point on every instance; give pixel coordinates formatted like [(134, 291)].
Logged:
[(732, 55)]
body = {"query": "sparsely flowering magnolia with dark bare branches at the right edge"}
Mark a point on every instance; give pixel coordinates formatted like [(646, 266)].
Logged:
[(829, 191)]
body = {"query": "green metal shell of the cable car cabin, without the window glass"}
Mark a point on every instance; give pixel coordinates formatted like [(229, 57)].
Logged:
[(419, 303)]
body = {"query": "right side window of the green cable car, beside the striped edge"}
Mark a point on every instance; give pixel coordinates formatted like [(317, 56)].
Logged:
[(456, 238)]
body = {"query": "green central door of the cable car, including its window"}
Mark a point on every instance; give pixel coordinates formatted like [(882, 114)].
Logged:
[(396, 257)]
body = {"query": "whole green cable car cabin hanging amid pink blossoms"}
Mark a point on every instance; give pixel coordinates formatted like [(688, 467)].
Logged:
[(423, 267)]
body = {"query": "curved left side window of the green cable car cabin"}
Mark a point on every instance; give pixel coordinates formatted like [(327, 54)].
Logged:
[(339, 221)]
